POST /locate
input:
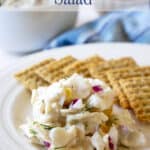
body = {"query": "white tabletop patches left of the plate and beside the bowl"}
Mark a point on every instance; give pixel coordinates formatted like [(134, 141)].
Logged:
[(6, 59)]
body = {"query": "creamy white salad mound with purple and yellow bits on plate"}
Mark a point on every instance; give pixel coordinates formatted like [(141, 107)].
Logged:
[(77, 113)]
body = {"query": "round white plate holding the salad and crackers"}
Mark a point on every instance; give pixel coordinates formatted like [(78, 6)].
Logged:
[(14, 100)]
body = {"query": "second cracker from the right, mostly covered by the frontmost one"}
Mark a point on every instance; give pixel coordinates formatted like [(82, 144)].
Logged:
[(115, 75)]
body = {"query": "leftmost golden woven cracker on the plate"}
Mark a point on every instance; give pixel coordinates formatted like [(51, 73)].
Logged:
[(28, 77)]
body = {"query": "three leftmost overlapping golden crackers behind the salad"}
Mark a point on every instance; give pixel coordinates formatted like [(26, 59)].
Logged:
[(50, 70)]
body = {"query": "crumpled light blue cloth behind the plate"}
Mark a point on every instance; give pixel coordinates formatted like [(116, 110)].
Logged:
[(118, 26)]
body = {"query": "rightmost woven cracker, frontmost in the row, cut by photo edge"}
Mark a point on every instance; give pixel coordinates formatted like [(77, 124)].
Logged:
[(138, 92)]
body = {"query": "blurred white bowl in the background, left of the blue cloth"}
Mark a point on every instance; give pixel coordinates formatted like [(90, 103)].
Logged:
[(24, 31)]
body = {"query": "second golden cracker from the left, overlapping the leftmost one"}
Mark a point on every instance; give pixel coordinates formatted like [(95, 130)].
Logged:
[(53, 72)]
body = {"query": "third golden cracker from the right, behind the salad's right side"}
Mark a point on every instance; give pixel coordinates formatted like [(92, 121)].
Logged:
[(99, 70)]
